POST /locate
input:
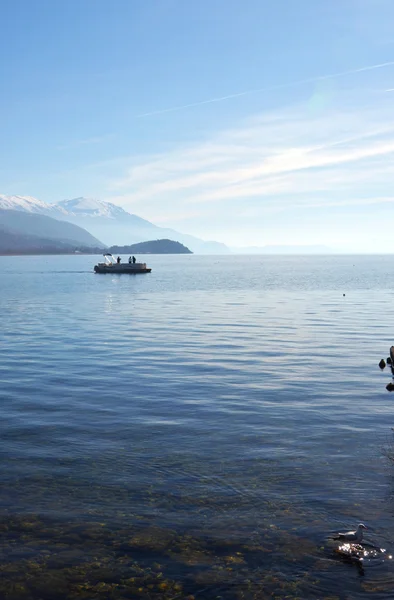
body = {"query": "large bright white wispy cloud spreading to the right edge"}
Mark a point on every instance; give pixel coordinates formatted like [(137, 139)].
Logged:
[(273, 164)]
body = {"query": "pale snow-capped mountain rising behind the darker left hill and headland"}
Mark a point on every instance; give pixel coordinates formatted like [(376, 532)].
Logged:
[(105, 221)]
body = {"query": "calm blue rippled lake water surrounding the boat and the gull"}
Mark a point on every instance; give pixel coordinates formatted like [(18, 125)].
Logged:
[(195, 432)]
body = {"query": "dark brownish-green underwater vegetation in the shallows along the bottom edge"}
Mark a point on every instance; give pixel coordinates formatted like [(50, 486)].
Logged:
[(48, 559)]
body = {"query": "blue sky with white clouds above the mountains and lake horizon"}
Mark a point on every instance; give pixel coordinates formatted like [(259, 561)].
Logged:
[(248, 122)]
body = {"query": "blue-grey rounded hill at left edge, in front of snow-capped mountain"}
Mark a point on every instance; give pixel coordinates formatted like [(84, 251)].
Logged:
[(41, 226)]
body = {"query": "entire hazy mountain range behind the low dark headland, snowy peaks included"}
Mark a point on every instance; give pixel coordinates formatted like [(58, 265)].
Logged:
[(86, 223)]
